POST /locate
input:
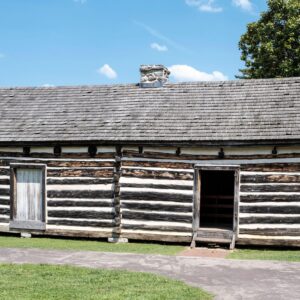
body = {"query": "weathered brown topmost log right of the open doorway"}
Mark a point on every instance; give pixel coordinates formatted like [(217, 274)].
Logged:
[(274, 167)]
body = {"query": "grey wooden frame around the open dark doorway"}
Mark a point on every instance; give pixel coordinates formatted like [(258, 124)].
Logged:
[(197, 192)]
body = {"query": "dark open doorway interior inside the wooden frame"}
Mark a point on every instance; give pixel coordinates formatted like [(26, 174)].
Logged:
[(217, 199)]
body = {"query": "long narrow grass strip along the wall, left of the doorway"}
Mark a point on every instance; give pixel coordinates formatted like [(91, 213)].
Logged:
[(88, 245)]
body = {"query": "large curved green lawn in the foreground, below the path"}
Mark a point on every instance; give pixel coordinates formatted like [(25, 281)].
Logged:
[(65, 282)]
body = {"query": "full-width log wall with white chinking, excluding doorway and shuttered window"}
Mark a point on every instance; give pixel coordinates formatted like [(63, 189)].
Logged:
[(147, 193)]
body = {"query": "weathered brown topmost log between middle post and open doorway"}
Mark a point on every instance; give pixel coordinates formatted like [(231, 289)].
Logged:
[(158, 164)]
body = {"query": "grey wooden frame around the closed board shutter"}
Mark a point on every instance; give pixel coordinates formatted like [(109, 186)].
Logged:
[(26, 225)]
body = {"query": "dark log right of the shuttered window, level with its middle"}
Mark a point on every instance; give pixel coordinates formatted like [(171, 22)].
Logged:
[(104, 194)]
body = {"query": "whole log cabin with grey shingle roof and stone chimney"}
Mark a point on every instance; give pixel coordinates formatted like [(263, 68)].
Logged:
[(213, 162)]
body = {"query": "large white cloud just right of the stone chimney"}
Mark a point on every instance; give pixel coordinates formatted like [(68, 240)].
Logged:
[(188, 73)]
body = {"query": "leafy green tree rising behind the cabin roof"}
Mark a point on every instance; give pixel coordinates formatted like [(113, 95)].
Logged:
[(271, 46)]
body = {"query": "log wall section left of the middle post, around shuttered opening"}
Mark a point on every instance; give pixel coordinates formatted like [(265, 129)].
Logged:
[(79, 194)]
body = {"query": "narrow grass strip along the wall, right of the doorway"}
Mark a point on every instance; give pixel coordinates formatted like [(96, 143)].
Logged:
[(266, 254)]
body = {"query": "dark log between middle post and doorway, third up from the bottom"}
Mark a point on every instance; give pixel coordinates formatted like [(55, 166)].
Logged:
[(139, 215)]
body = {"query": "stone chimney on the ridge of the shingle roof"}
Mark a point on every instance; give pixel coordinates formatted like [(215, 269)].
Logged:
[(153, 76)]
